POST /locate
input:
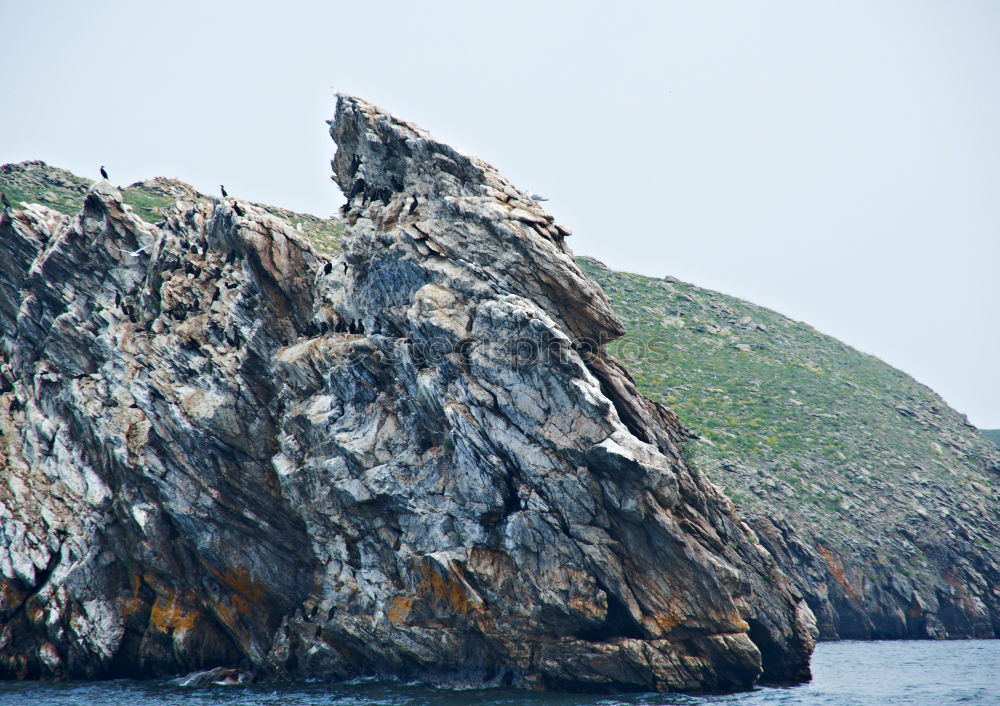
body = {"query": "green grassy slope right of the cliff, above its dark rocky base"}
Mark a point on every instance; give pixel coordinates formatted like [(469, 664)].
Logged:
[(793, 418)]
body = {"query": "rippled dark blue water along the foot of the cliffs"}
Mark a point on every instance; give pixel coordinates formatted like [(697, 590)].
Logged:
[(845, 673)]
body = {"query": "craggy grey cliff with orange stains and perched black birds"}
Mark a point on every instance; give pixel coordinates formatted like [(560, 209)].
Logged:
[(222, 449)]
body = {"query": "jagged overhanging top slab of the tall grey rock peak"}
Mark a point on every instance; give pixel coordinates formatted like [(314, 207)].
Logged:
[(462, 209)]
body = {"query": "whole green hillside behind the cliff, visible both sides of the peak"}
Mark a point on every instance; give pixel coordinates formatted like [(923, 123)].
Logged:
[(907, 551)]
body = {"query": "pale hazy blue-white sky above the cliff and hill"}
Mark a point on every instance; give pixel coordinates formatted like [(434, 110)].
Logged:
[(835, 160)]
